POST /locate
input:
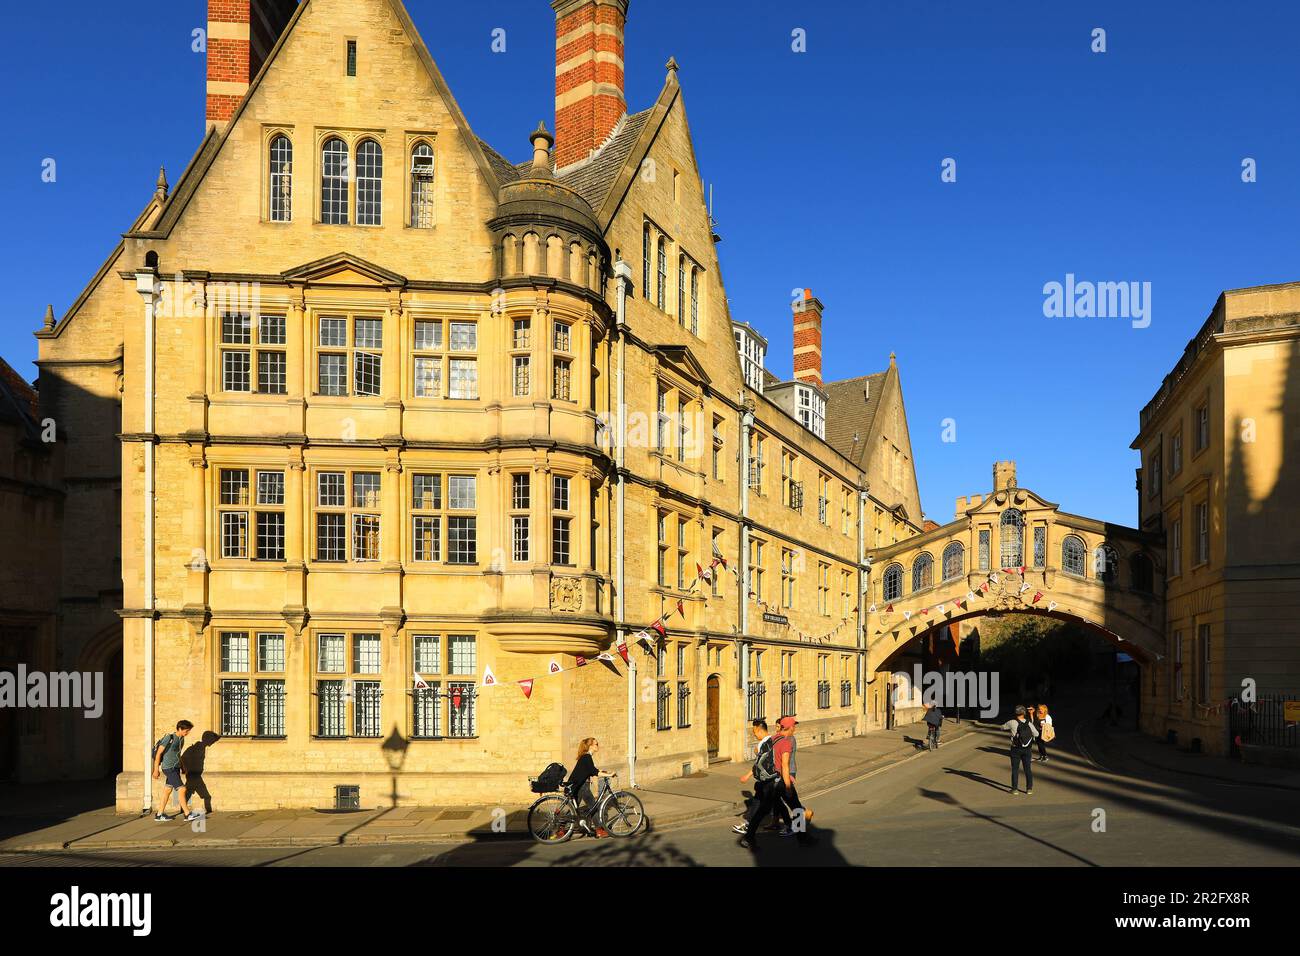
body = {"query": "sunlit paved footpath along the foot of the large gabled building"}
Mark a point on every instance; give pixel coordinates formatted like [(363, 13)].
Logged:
[(44, 825)]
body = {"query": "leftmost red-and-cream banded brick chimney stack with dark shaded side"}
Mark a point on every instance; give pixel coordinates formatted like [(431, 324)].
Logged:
[(241, 36)]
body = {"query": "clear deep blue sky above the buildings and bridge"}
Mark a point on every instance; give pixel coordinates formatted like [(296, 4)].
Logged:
[(1124, 166)]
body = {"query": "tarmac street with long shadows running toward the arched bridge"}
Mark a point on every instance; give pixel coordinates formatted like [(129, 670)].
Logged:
[(1107, 798)]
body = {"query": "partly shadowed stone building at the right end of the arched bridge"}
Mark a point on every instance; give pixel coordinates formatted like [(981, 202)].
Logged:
[(1220, 481)]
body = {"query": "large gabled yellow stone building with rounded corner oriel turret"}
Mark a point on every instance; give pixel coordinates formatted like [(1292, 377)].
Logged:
[(405, 423)]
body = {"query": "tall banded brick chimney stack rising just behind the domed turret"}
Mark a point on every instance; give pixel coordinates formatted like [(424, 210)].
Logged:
[(590, 98)]
